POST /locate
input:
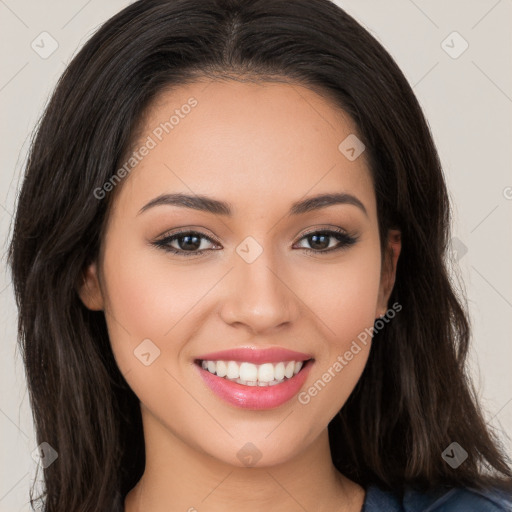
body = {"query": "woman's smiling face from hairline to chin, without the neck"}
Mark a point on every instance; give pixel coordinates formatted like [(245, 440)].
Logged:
[(258, 272)]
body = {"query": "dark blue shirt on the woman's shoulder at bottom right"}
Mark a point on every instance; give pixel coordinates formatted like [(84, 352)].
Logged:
[(441, 500)]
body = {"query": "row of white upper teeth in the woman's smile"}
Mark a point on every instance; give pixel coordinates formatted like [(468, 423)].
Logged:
[(249, 374)]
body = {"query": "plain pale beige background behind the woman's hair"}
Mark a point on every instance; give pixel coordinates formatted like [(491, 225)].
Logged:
[(466, 94)]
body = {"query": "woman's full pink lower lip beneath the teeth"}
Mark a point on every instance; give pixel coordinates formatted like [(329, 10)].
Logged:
[(255, 397)]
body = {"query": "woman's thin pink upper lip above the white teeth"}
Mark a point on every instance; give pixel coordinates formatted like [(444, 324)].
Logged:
[(255, 355)]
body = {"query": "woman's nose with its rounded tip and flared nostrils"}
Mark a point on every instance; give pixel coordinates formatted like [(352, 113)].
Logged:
[(258, 295)]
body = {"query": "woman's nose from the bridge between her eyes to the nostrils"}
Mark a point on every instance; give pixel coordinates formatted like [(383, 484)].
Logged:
[(257, 296)]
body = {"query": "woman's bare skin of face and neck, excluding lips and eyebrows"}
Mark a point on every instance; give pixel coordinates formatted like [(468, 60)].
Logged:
[(259, 146)]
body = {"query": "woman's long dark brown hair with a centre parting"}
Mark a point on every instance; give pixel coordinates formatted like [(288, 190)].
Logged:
[(414, 397)]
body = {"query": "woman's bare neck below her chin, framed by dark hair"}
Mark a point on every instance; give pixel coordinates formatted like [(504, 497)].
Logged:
[(178, 477)]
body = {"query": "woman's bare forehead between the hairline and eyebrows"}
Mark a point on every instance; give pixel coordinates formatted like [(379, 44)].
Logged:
[(246, 141)]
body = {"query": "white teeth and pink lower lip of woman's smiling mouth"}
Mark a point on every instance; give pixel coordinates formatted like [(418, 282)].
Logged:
[(249, 385)]
